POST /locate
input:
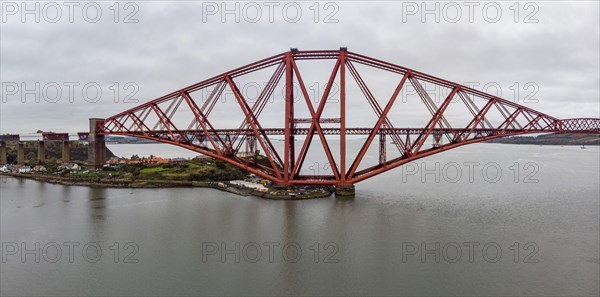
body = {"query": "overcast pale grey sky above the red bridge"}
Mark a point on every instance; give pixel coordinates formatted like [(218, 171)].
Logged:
[(158, 47)]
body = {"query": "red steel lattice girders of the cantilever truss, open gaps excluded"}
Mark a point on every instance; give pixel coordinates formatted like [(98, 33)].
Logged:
[(225, 144)]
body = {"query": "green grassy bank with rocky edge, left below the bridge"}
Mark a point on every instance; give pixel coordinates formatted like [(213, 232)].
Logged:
[(208, 173)]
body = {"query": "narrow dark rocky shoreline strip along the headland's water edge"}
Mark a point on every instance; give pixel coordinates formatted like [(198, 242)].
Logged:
[(141, 184)]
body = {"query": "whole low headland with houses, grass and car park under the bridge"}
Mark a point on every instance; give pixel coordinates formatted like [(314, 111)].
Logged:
[(159, 172)]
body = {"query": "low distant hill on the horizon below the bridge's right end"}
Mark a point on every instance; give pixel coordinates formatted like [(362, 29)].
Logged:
[(552, 139)]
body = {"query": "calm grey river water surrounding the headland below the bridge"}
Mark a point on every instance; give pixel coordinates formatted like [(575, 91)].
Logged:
[(533, 229)]
